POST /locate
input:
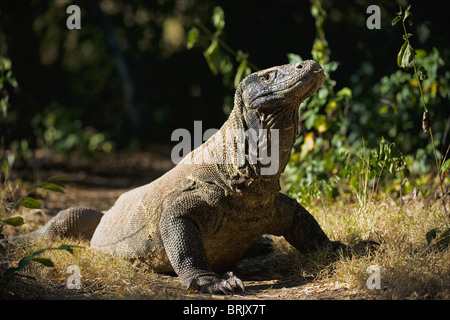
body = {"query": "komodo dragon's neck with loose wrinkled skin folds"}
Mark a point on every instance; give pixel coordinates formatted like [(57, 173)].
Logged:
[(257, 146)]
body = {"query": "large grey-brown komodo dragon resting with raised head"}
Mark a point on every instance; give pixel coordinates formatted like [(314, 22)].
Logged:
[(204, 215)]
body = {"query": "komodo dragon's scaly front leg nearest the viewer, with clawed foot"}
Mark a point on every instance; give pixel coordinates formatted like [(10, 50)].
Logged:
[(182, 237)]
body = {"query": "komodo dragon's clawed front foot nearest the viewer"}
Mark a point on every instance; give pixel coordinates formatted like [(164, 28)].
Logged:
[(207, 284)]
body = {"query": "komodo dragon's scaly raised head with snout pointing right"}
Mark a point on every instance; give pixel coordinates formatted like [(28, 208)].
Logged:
[(282, 86)]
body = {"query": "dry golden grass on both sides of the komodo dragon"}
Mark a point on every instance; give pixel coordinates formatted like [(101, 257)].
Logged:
[(410, 267)]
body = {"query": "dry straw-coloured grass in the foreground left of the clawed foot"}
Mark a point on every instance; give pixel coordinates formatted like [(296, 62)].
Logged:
[(102, 276)]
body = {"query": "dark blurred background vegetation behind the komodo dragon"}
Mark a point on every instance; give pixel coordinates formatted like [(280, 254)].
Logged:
[(136, 71)]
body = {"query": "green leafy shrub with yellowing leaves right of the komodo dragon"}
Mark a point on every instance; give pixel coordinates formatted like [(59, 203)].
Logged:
[(373, 139)]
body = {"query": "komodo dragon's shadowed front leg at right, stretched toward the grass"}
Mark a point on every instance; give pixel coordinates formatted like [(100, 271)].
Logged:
[(302, 231)]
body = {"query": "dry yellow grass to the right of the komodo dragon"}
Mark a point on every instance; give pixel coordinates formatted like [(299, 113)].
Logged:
[(410, 267)]
